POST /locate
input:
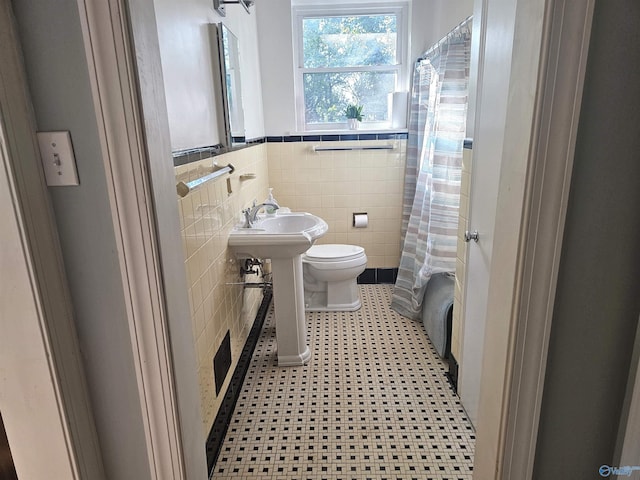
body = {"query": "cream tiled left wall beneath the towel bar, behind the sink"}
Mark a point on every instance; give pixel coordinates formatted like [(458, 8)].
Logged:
[(207, 214)]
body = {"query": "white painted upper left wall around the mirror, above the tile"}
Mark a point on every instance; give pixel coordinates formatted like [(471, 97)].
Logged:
[(187, 49)]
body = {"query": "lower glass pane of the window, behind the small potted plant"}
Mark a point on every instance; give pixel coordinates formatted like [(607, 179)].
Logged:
[(326, 95)]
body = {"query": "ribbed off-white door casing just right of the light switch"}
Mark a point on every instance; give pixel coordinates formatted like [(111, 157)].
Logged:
[(116, 100)]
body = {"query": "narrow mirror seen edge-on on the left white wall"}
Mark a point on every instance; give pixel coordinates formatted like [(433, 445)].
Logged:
[(231, 118)]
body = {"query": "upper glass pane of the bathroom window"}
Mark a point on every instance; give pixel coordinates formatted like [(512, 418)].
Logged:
[(349, 41)]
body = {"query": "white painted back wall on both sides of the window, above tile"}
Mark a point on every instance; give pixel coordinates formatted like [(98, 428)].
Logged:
[(430, 21)]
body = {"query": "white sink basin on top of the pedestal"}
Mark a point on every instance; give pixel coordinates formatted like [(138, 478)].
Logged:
[(281, 236)]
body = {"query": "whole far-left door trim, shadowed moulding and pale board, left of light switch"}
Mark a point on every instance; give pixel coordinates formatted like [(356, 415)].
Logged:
[(43, 392)]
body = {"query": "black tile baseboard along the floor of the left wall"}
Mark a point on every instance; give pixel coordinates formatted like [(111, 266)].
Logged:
[(223, 418)]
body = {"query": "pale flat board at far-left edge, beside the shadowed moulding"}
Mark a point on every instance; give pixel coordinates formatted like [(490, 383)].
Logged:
[(30, 391)]
